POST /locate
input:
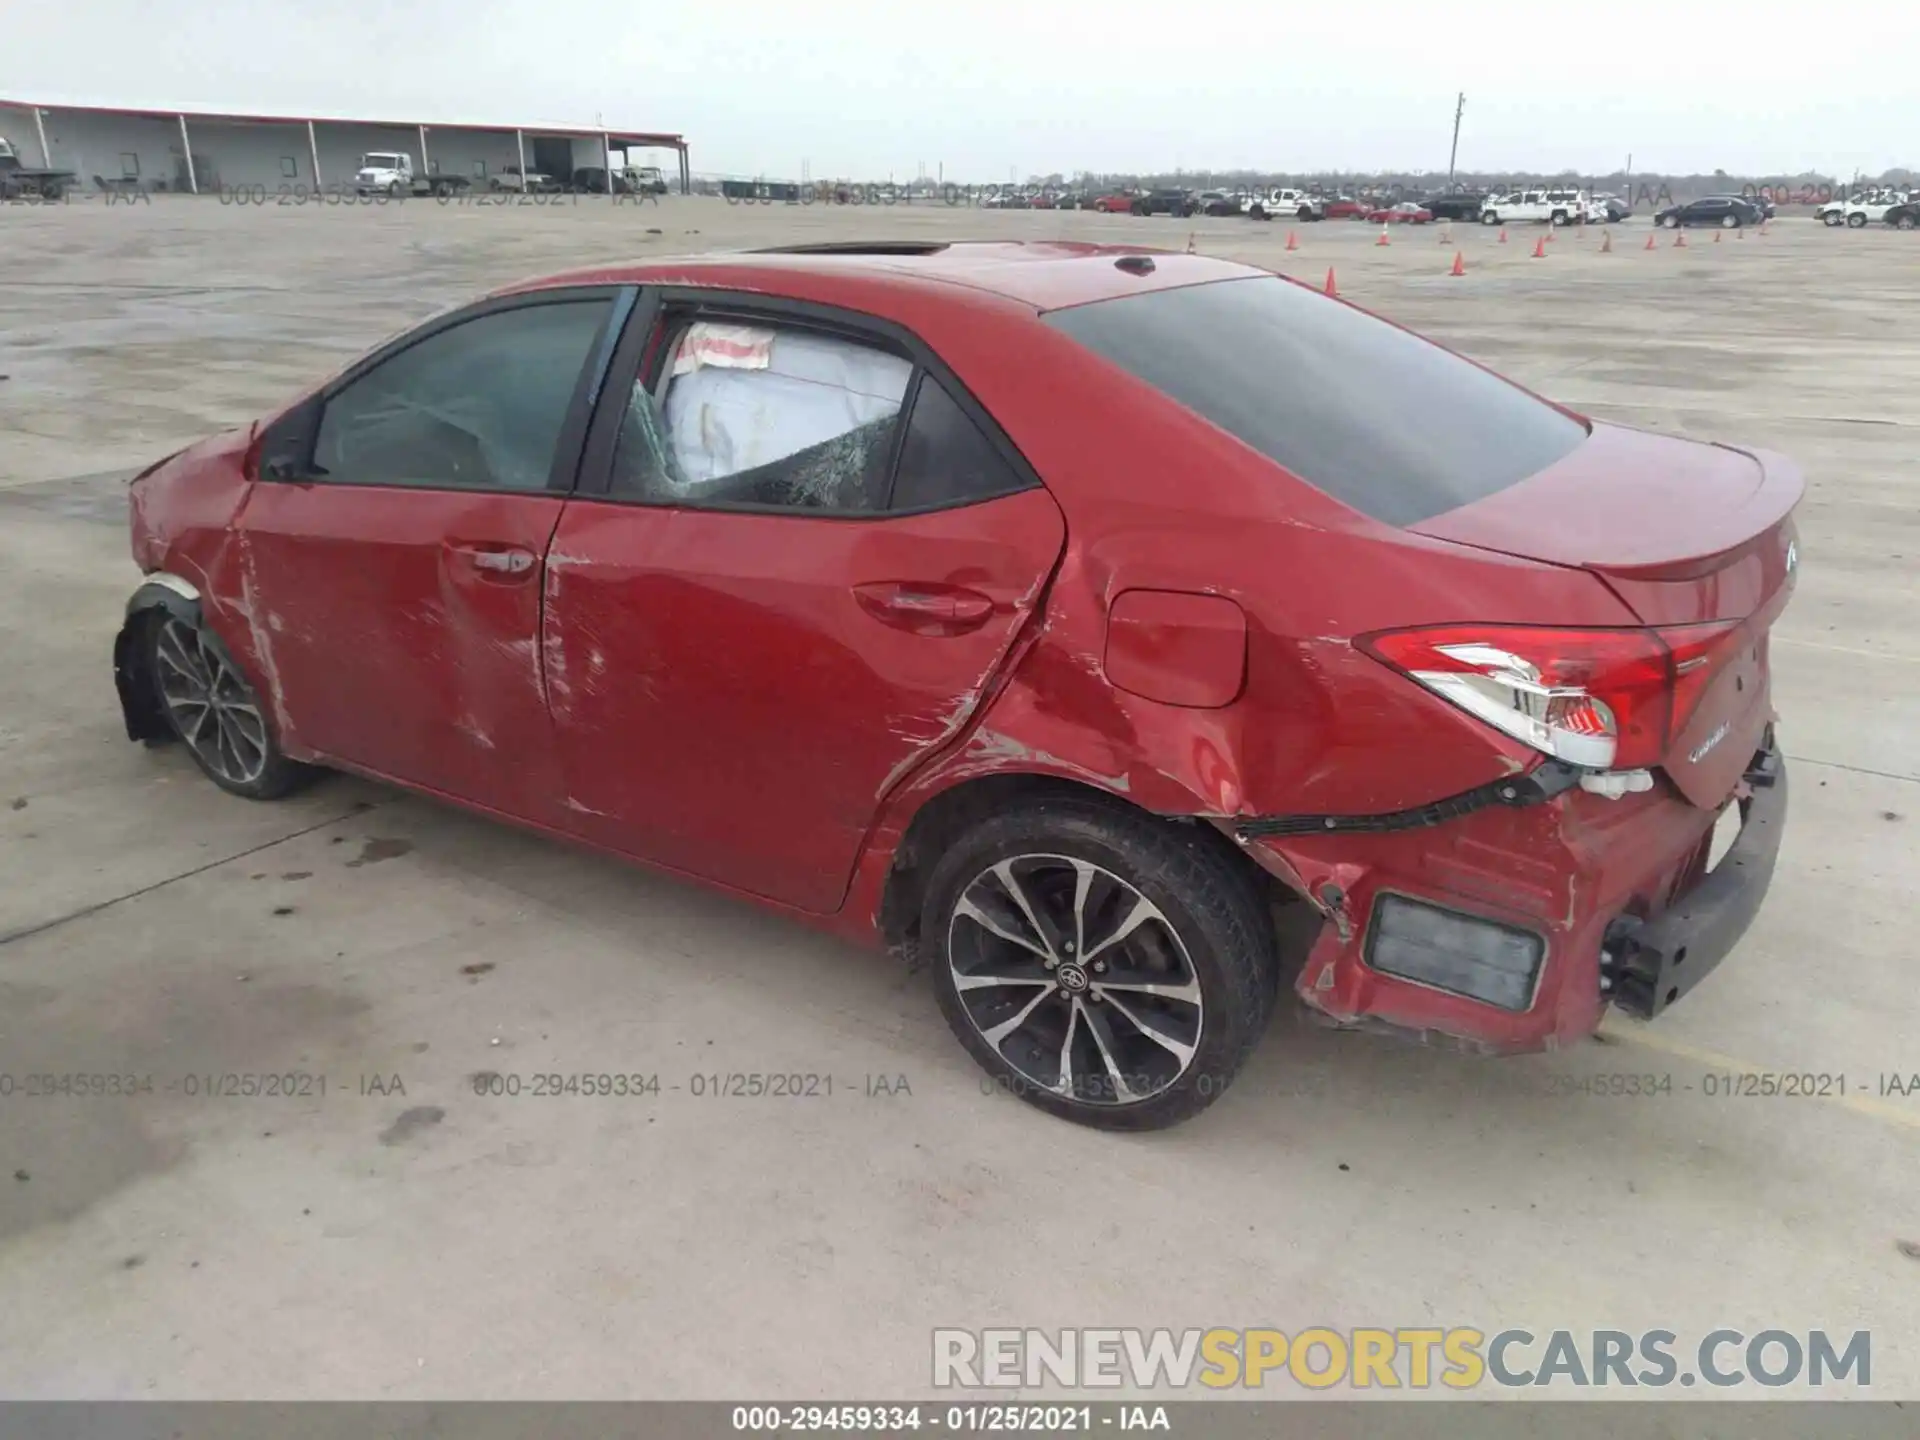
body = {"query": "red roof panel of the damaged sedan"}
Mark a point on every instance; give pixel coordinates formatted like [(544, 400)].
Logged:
[(1032, 274)]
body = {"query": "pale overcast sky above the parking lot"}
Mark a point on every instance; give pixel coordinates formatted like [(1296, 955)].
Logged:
[(992, 89)]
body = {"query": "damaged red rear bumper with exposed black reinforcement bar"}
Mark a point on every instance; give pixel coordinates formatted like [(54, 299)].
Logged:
[(1510, 924)]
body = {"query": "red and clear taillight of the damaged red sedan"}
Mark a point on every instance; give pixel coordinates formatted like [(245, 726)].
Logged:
[(1606, 700)]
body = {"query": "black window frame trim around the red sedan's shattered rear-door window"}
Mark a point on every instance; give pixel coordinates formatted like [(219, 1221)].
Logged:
[(642, 352)]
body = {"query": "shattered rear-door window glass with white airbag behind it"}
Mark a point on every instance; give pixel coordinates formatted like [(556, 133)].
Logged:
[(765, 418)]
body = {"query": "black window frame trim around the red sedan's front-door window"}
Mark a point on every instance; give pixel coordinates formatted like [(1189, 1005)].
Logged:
[(302, 425)]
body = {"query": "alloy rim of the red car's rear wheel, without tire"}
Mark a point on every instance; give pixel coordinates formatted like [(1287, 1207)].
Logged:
[(1076, 980)]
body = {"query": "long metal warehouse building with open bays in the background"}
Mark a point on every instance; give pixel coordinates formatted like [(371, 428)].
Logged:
[(204, 153)]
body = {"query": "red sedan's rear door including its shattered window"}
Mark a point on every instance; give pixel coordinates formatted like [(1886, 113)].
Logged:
[(807, 556)]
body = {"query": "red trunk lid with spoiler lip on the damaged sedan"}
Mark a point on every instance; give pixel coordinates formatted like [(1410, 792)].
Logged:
[(1687, 535)]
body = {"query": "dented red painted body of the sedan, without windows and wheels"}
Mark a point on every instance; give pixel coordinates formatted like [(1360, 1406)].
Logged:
[(1168, 619)]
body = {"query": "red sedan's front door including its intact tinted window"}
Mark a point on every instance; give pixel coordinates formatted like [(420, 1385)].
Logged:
[(395, 548)]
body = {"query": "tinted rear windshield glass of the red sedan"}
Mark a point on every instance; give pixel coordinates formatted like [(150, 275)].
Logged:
[(1376, 418)]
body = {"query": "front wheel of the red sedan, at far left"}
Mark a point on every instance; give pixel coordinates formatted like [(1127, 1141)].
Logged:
[(216, 711)]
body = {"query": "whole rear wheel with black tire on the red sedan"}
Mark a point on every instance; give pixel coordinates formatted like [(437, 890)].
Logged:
[(1105, 967)]
